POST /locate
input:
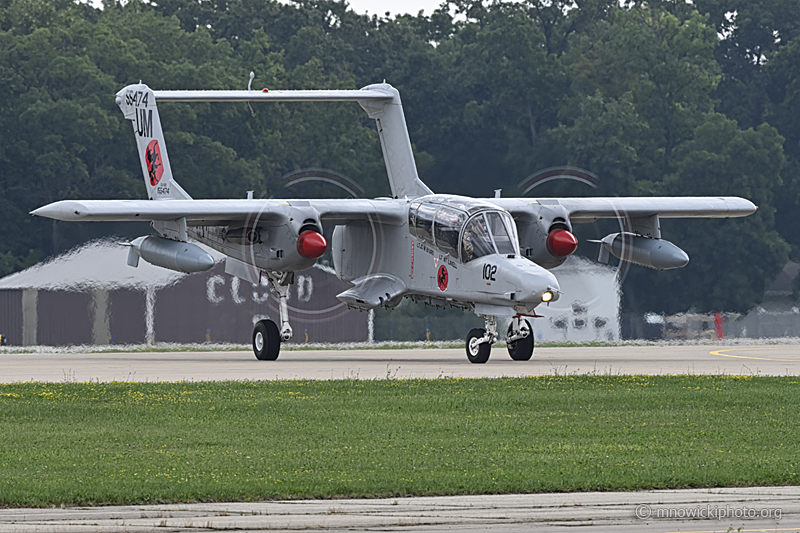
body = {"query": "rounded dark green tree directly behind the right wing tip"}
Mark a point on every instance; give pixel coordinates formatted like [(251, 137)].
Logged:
[(732, 260)]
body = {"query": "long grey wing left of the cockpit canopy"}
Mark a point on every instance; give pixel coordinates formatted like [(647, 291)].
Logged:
[(222, 212)]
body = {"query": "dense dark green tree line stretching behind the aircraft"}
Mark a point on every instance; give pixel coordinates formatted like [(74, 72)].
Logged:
[(663, 97)]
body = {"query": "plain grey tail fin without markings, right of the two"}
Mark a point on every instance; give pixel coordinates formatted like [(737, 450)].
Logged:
[(395, 143)]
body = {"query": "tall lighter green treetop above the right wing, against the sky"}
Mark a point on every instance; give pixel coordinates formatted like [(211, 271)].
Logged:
[(663, 65)]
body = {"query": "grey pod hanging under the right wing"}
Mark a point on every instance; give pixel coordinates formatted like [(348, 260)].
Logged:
[(654, 253)]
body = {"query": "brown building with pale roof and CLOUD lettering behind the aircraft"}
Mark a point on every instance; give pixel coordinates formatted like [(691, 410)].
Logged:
[(91, 296)]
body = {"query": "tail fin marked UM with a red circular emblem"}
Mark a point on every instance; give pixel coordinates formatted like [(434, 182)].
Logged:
[(138, 104)]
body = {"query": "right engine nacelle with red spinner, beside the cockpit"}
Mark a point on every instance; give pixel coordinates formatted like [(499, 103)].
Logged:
[(547, 240)]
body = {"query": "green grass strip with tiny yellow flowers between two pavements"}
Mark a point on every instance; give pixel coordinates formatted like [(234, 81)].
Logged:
[(97, 443)]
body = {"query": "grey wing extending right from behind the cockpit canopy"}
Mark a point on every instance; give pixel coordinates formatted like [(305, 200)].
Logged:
[(581, 210)]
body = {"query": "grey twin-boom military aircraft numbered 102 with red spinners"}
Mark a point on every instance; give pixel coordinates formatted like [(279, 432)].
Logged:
[(488, 255)]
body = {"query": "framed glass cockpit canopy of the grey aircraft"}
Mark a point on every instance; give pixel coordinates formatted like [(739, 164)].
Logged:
[(463, 227)]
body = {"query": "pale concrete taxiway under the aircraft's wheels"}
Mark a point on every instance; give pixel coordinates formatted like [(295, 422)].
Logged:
[(398, 363)]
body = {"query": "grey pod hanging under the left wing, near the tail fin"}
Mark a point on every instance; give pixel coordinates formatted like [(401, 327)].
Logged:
[(174, 255)]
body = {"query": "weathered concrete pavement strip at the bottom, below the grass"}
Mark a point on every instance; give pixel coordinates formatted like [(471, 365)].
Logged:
[(699, 511)]
